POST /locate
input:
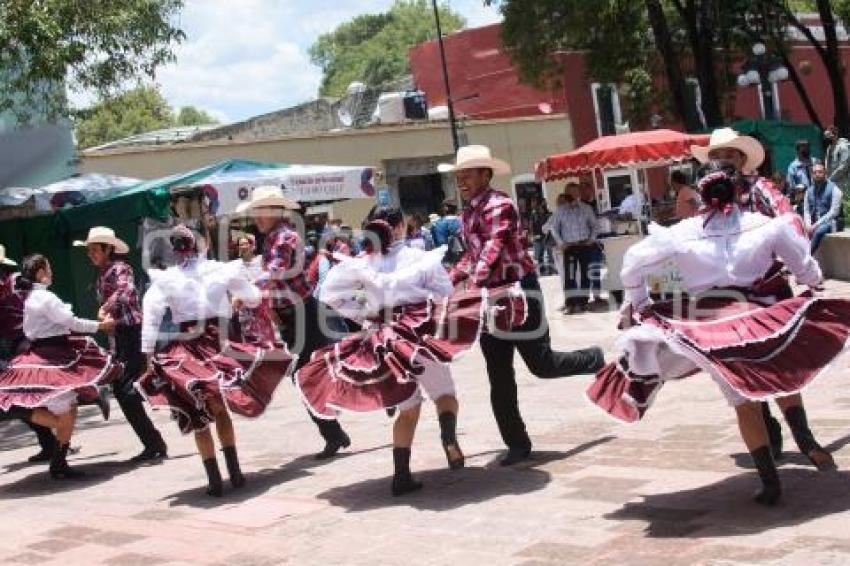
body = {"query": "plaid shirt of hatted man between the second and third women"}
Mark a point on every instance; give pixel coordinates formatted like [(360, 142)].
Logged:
[(284, 276)]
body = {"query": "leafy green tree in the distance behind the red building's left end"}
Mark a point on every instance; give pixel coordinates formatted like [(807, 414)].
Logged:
[(373, 48)]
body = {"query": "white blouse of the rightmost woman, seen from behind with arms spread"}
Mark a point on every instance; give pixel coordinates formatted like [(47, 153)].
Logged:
[(730, 251)]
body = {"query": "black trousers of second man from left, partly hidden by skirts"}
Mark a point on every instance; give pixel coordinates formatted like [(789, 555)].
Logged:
[(302, 332)]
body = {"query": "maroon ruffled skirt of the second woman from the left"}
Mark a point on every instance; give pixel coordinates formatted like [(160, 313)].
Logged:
[(189, 376)]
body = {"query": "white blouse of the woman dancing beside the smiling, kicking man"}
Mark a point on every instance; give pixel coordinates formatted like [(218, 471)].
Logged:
[(359, 287)]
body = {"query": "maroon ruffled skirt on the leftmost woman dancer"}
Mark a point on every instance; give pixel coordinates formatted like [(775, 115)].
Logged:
[(54, 367)]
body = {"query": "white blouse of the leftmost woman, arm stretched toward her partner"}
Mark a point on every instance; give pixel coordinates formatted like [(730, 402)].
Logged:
[(45, 316)]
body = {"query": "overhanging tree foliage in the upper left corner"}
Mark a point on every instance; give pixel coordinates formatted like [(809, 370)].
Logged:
[(88, 45)]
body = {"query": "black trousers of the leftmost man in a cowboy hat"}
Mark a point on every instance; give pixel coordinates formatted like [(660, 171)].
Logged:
[(128, 342)]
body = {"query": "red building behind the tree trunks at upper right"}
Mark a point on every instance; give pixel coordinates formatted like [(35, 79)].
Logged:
[(485, 84)]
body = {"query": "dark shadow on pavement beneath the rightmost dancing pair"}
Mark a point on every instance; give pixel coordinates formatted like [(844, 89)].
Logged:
[(726, 508)]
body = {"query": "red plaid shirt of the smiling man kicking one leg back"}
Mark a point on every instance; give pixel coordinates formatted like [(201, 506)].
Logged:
[(496, 243)]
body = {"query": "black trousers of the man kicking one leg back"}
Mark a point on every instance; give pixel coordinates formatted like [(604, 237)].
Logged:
[(536, 350)]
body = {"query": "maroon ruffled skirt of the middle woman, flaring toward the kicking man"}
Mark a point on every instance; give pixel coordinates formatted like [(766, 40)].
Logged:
[(377, 368)]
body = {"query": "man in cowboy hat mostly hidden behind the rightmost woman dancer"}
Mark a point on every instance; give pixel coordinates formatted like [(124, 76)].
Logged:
[(760, 194)]
